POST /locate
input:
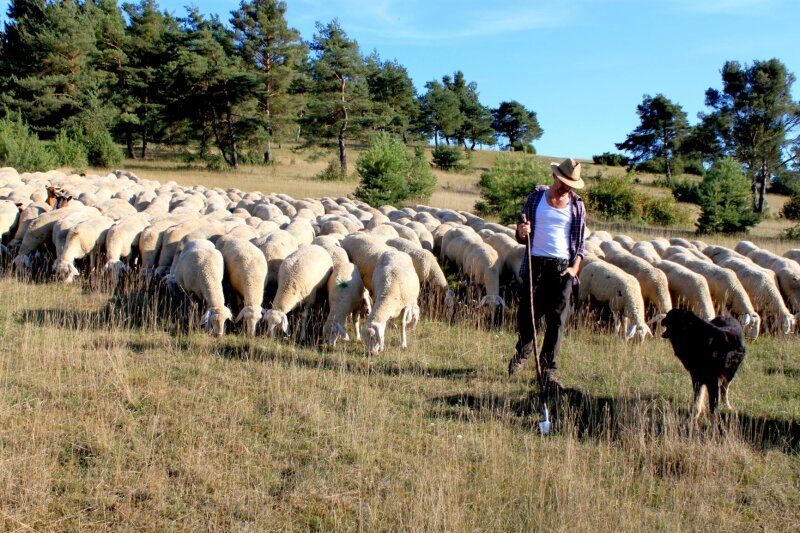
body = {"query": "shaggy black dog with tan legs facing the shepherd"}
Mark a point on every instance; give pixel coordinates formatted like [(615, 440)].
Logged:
[(710, 351)]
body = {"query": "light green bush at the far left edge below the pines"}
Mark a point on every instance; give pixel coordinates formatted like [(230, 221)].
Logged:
[(22, 149)]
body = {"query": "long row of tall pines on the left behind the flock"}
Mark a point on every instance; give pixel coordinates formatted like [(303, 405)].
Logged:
[(139, 75)]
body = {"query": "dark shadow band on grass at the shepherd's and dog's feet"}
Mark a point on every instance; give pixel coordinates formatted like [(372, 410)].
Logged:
[(605, 418)]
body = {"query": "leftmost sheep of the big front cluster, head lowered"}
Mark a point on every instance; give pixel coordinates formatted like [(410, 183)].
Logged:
[(199, 270)]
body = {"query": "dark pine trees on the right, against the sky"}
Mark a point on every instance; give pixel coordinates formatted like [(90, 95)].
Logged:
[(752, 119)]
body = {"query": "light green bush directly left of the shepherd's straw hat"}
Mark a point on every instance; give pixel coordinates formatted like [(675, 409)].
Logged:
[(505, 186)]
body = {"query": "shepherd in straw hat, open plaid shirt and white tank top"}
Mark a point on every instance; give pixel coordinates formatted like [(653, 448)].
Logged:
[(555, 219)]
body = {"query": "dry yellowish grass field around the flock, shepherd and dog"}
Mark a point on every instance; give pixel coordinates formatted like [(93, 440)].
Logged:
[(113, 416)]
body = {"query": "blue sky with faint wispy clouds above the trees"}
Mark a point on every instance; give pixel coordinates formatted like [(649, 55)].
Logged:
[(581, 65)]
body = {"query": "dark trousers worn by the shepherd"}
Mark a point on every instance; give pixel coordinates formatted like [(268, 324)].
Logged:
[(552, 299)]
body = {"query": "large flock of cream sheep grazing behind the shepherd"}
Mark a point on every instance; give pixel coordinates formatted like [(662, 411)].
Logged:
[(236, 251)]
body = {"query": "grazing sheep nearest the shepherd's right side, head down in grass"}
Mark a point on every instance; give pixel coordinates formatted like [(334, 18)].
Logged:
[(609, 284)]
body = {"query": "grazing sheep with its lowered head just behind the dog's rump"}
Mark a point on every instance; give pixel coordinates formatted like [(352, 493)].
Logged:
[(726, 290)]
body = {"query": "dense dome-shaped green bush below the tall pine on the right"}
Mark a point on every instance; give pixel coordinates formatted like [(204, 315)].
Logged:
[(726, 200)]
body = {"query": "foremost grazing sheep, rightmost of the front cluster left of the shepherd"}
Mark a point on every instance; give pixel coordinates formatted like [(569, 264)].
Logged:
[(396, 292)]
